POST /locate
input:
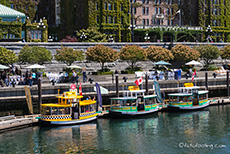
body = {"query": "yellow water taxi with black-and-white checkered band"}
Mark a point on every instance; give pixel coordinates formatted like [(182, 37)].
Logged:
[(69, 110)]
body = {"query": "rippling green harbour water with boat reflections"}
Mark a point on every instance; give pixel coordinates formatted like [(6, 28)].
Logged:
[(206, 131)]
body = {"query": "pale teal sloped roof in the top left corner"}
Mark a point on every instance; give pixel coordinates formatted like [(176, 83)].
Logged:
[(8, 12)]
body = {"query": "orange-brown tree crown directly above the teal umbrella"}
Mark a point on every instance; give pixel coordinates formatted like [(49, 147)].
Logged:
[(158, 53)]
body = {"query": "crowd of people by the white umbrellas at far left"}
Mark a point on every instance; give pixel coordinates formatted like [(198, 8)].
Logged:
[(14, 76)]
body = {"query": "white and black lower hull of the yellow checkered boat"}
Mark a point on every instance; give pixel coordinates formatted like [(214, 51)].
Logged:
[(71, 122)]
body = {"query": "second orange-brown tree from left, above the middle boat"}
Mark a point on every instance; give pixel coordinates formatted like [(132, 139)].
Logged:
[(132, 54)]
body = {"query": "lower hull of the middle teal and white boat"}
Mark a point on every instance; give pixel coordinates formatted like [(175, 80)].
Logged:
[(122, 114)]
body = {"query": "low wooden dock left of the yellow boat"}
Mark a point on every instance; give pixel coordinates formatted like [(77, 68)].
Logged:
[(14, 122)]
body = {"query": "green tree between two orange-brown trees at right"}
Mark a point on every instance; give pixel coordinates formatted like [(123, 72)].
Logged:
[(208, 53)]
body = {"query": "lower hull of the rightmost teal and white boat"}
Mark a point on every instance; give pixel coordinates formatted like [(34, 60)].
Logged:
[(188, 108)]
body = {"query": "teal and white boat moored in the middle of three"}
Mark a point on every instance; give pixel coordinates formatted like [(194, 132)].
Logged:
[(133, 103)]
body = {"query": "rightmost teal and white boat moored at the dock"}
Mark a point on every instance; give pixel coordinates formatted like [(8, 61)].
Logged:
[(188, 98)]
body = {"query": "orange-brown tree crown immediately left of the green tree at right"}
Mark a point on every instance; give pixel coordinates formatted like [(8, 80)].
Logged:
[(184, 53)]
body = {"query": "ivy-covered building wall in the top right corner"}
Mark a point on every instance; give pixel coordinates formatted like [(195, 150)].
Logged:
[(209, 11)]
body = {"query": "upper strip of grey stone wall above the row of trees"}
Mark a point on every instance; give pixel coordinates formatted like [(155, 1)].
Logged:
[(52, 46)]
